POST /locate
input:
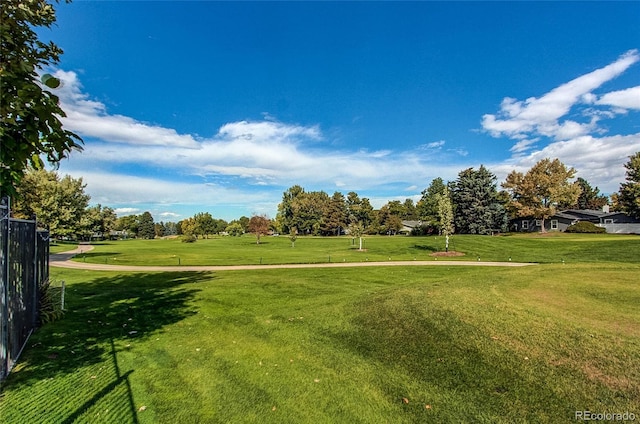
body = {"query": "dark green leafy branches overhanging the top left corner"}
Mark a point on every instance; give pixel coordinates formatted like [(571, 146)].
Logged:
[(29, 113)]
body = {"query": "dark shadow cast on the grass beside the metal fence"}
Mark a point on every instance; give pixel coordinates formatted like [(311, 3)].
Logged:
[(100, 314)]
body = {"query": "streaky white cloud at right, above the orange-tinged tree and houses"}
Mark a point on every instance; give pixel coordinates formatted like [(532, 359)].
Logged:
[(543, 122)]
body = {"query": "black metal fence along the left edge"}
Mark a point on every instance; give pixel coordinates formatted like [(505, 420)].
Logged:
[(24, 267)]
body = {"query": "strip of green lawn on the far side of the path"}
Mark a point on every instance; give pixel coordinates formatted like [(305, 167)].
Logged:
[(551, 248)]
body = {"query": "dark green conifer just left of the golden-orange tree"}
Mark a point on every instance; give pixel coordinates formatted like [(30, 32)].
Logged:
[(477, 205)]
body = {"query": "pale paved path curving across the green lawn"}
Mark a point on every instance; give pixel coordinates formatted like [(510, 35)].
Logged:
[(63, 260)]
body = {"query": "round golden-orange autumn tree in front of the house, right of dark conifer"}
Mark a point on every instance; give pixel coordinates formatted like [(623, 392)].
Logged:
[(538, 192)]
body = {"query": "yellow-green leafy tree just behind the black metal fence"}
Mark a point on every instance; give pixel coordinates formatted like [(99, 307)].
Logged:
[(58, 203)]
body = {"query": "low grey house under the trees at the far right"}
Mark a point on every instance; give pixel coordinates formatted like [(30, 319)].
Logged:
[(613, 222)]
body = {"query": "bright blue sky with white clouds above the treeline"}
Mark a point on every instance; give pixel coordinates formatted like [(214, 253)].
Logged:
[(190, 107)]
